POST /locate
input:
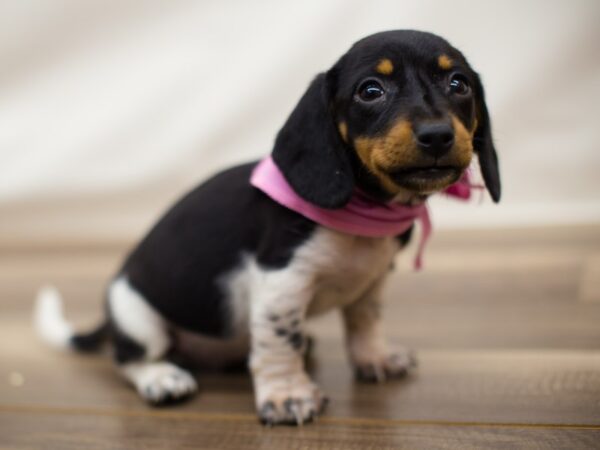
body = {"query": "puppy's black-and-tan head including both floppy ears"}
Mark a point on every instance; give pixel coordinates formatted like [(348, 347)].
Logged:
[(398, 116)]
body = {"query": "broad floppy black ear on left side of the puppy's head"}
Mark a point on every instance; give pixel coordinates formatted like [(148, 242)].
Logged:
[(309, 150)]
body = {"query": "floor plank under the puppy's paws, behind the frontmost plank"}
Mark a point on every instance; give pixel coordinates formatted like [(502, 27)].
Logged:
[(532, 386)]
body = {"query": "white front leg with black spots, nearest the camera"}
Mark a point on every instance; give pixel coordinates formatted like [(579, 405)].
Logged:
[(284, 393)]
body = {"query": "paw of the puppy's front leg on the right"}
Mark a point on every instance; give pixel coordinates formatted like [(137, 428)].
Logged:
[(394, 364)]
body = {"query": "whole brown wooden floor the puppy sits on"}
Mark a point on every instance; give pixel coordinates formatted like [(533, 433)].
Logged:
[(506, 325)]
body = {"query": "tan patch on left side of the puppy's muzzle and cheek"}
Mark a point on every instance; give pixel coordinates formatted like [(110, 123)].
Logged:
[(395, 149)]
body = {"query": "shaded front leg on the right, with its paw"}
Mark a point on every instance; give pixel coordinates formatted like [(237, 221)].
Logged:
[(369, 354)]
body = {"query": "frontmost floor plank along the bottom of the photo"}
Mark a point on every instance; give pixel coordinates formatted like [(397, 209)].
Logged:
[(65, 429)]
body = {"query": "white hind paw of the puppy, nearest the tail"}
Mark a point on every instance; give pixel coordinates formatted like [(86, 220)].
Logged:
[(161, 382)]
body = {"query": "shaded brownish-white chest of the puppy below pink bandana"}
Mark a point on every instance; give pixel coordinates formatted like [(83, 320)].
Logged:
[(346, 267)]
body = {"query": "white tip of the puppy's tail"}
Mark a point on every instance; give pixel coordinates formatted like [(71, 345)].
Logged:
[(49, 320)]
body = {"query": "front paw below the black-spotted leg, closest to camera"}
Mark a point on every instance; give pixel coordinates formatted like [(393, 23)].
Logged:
[(293, 405)]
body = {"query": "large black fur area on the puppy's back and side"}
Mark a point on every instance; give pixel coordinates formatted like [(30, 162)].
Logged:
[(180, 265)]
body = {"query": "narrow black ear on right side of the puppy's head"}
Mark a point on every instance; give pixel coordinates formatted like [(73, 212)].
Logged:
[(484, 146)]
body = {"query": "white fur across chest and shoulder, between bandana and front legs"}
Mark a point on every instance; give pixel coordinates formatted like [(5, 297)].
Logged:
[(335, 268)]
